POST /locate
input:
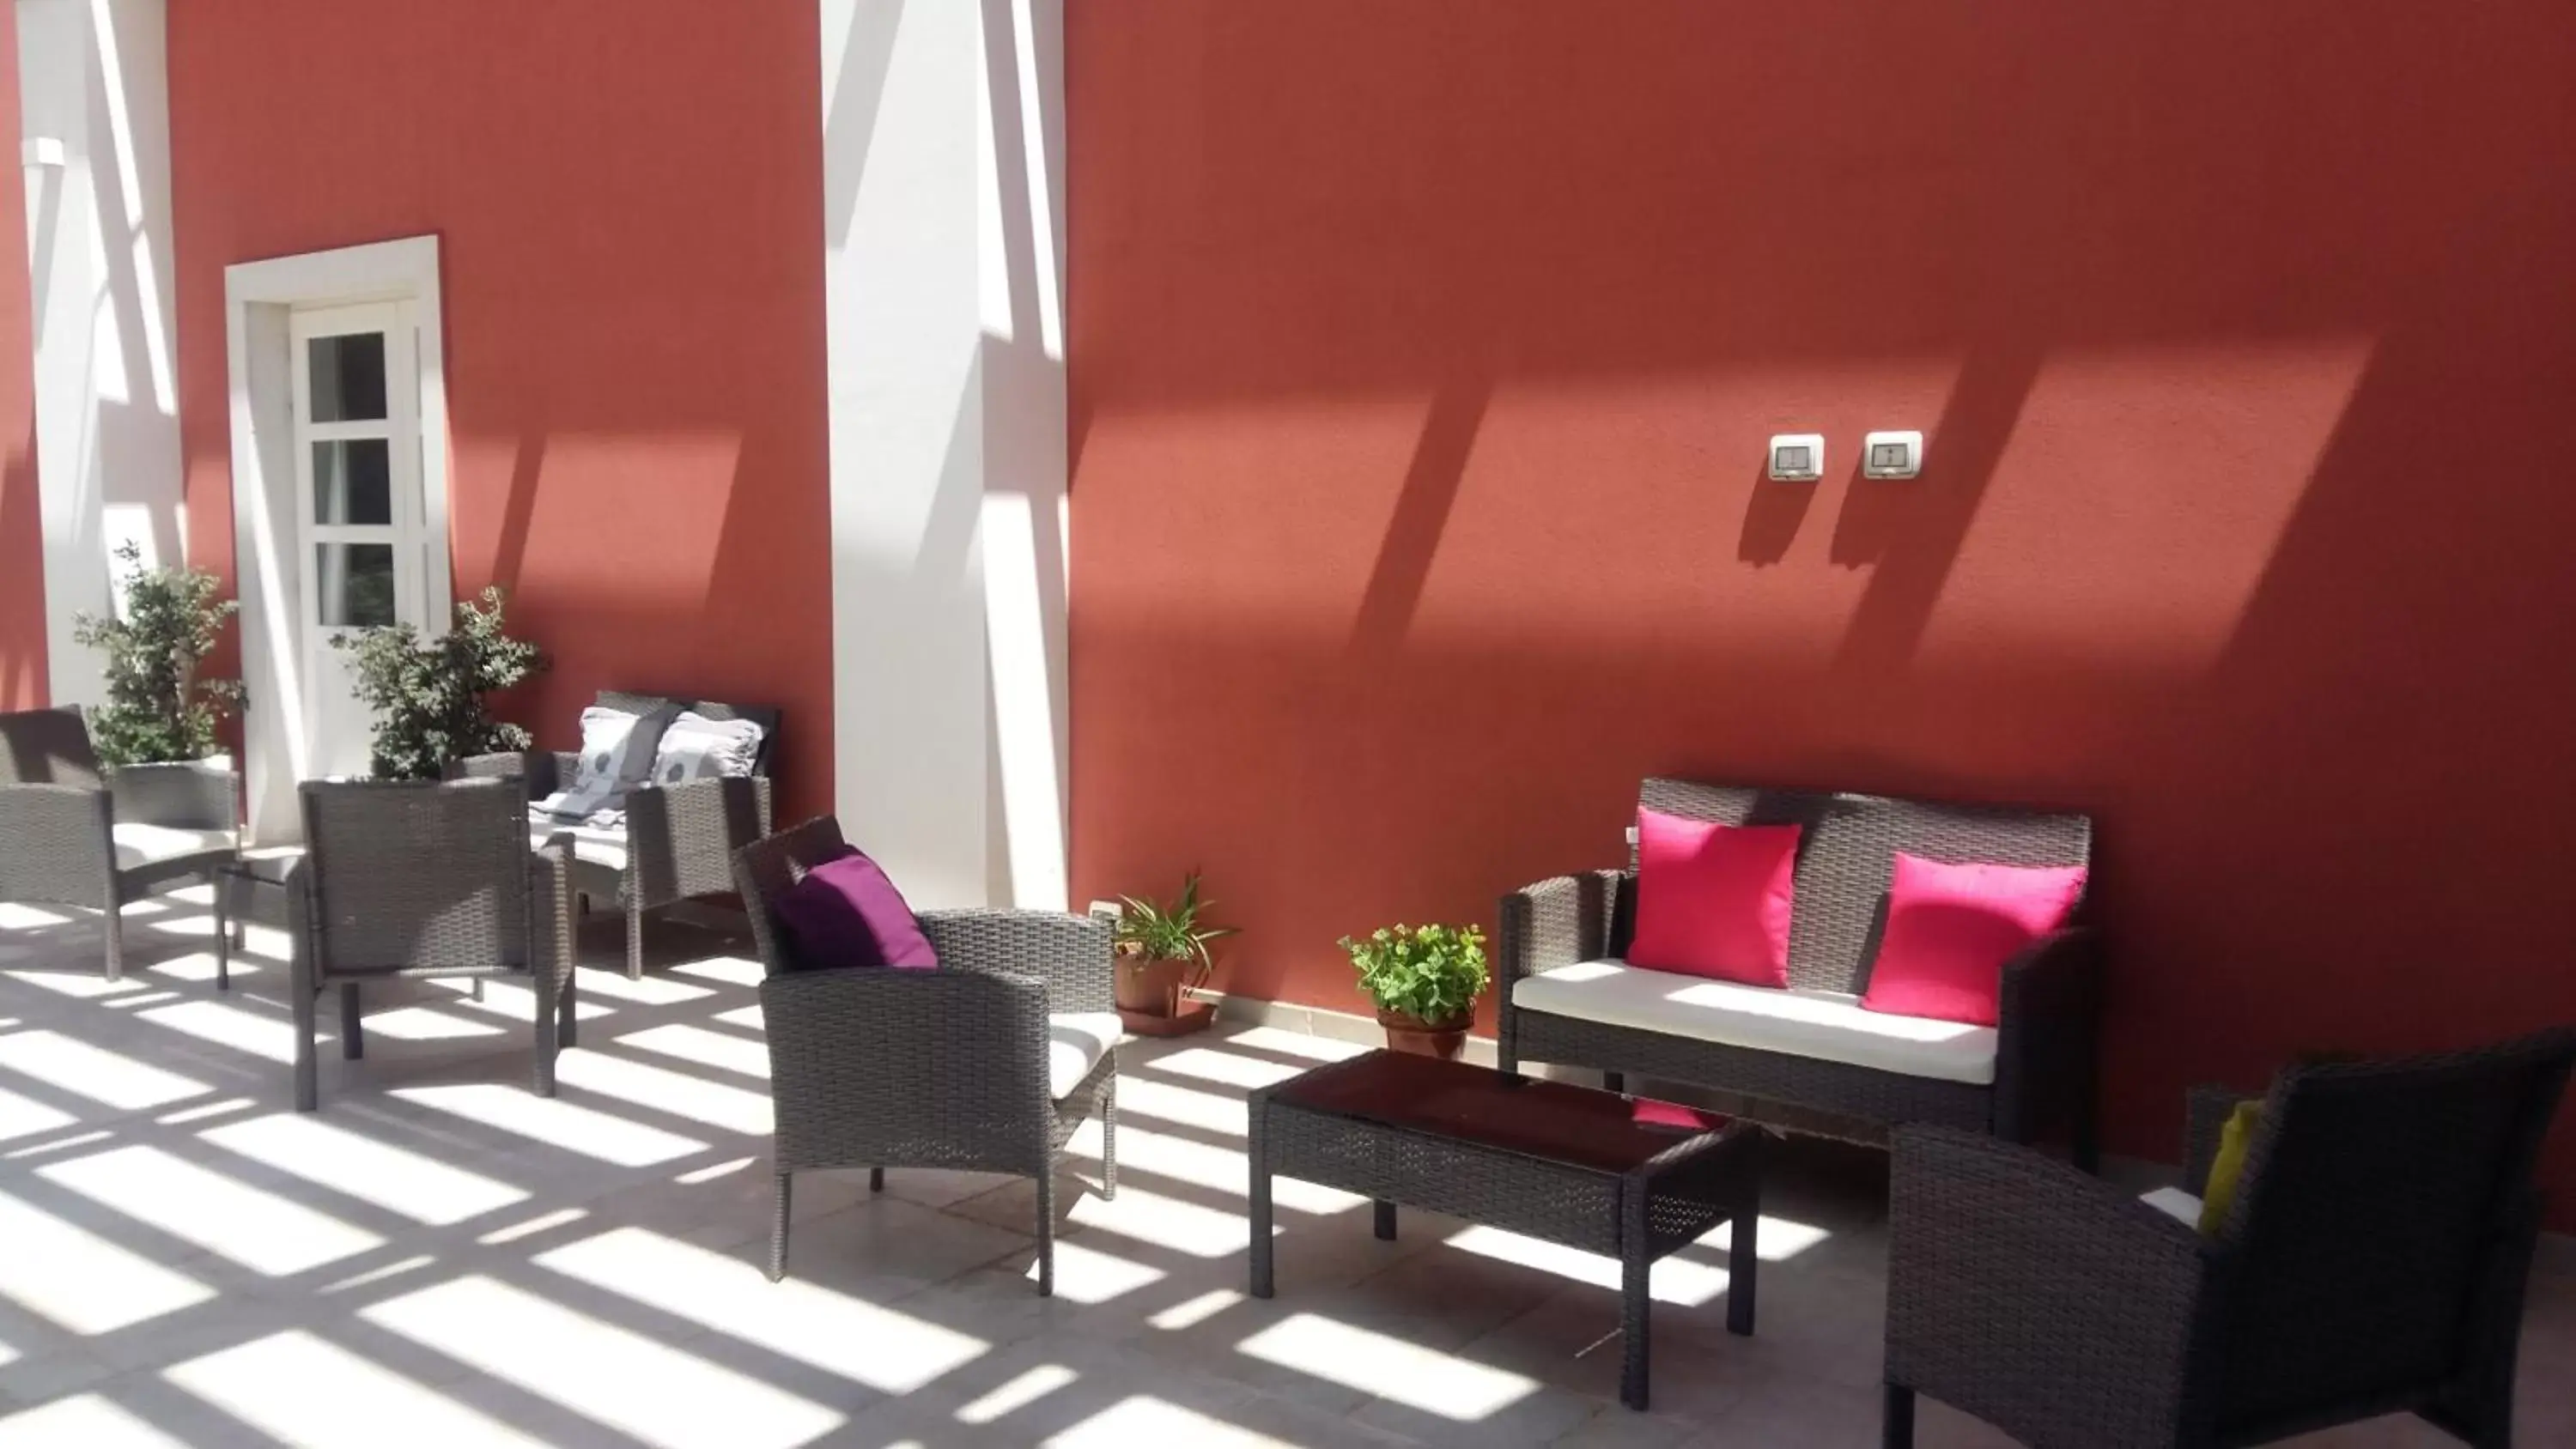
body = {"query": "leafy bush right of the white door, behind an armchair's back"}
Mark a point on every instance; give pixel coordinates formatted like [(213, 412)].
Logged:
[(429, 696)]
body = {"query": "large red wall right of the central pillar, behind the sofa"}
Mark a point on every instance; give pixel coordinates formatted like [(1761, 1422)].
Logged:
[(1423, 362)]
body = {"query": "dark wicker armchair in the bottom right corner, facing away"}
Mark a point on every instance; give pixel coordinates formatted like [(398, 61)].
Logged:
[(2374, 1262)]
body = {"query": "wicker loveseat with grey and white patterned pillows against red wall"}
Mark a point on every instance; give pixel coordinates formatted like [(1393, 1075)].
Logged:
[(676, 845)]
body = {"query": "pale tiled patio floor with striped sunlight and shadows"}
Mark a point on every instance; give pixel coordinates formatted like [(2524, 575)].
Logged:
[(444, 1260)]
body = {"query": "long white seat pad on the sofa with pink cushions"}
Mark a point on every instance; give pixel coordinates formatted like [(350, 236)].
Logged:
[(1820, 1026)]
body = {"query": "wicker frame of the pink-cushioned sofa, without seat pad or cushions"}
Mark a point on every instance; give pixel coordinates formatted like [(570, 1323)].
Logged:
[(2044, 1044)]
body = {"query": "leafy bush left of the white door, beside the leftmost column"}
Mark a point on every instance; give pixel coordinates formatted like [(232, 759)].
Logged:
[(158, 712)]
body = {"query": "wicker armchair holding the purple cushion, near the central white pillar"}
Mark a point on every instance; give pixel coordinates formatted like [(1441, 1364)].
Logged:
[(985, 1064)]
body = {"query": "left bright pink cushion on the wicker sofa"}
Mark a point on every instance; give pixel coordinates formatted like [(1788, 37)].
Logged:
[(1714, 900)]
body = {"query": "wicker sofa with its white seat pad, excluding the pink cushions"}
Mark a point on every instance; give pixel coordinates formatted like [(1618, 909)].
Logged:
[(1570, 1000)]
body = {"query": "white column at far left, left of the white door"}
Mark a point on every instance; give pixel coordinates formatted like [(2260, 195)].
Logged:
[(97, 158)]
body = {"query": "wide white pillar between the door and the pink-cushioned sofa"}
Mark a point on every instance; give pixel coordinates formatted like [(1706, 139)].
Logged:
[(944, 277)]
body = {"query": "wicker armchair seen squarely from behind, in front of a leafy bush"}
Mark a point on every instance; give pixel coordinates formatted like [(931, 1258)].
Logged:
[(424, 879)]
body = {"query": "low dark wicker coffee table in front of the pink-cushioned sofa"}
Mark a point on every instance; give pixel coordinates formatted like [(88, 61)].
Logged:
[(1547, 1159)]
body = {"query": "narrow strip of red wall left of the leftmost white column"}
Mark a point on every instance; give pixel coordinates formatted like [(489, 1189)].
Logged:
[(22, 529)]
